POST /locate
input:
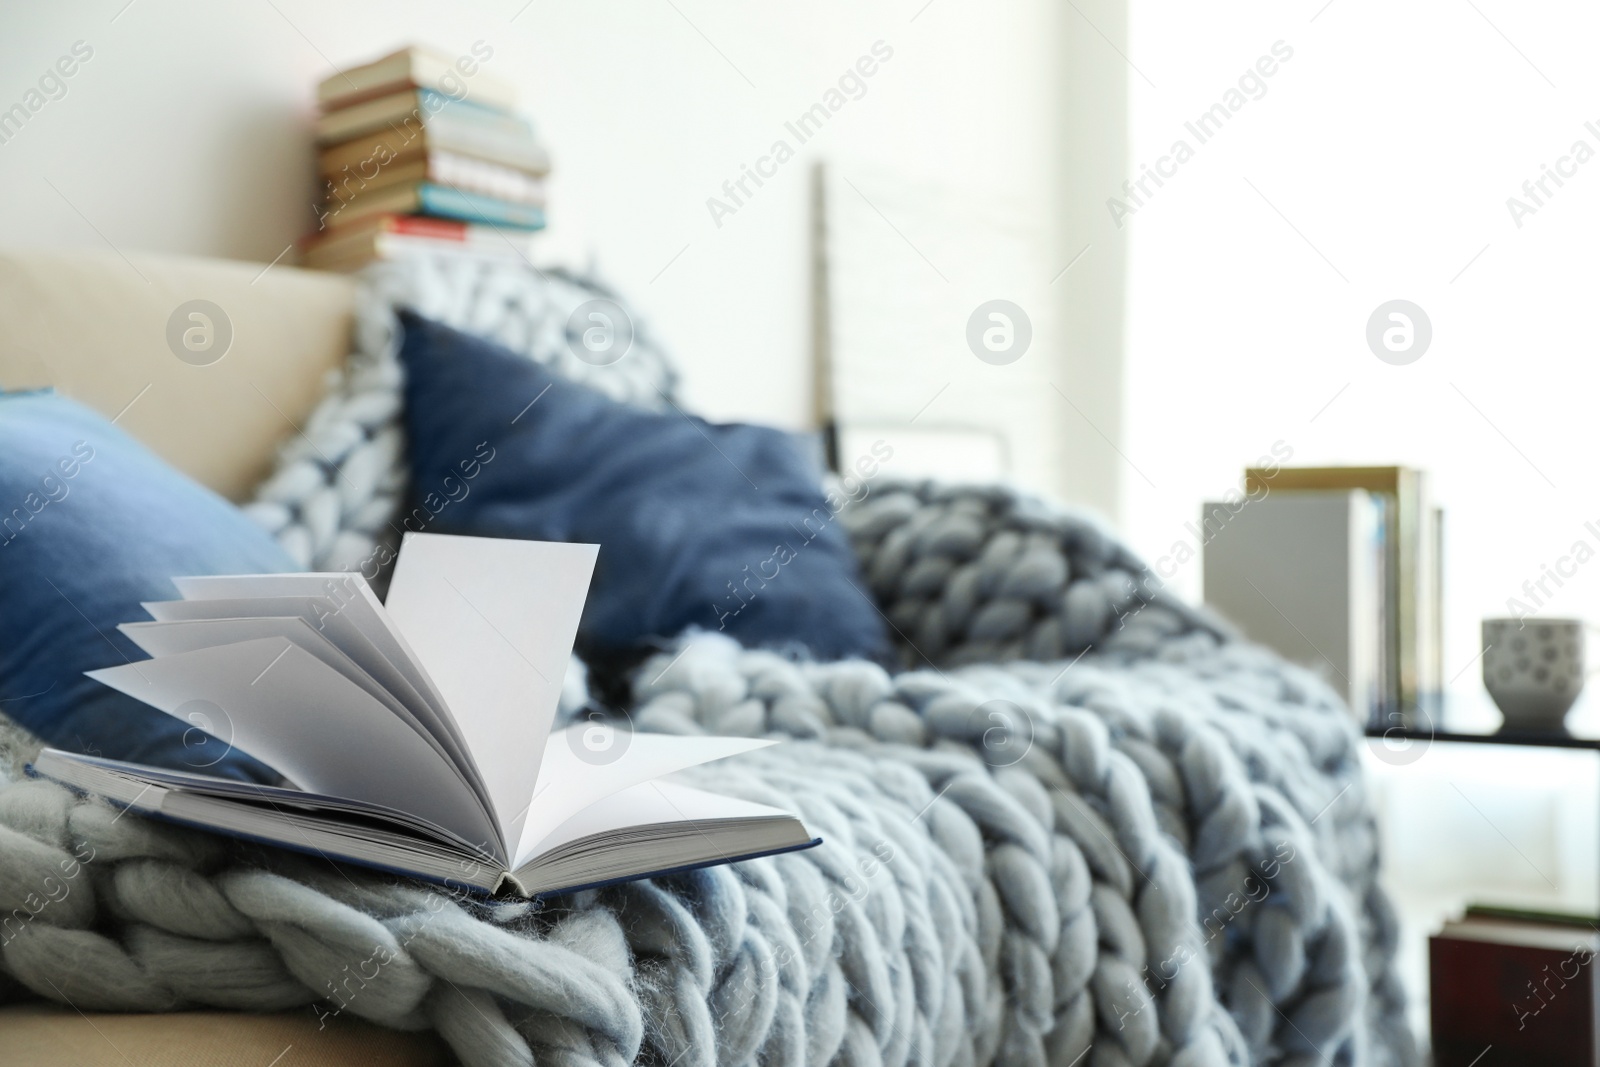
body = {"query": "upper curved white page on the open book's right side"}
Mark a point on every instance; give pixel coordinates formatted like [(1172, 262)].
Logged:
[(572, 780)]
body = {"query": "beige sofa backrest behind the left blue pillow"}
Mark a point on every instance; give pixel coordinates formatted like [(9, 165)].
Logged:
[(95, 326)]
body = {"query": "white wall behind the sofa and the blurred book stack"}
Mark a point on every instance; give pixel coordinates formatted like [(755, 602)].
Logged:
[(188, 132)]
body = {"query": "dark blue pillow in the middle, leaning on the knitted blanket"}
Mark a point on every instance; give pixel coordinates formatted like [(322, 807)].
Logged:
[(721, 527)]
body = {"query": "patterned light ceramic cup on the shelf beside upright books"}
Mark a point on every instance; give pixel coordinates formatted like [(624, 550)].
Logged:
[(1534, 669)]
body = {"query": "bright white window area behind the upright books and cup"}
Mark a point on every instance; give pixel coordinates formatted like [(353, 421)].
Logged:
[(1378, 166)]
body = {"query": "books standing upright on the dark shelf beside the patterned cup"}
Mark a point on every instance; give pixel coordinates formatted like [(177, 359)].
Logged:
[(1338, 569)]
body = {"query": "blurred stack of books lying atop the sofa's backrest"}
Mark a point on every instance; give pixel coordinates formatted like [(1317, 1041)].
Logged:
[(422, 153)]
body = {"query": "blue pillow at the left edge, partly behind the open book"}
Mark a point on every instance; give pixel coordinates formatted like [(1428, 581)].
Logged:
[(90, 526)]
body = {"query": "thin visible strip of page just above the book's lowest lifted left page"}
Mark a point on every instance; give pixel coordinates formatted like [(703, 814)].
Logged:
[(186, 636)]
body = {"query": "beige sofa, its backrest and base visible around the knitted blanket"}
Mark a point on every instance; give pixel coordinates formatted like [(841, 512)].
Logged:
[(95, 326)]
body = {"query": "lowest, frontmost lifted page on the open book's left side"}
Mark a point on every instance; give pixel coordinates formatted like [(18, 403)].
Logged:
[(289, 709)]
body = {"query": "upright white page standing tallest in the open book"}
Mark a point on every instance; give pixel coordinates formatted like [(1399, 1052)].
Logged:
[(494, 625)]
